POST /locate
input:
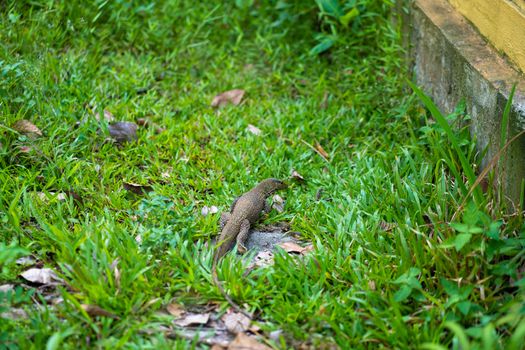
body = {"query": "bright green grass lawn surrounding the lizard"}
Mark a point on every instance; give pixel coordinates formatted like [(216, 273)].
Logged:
[(426, 282)]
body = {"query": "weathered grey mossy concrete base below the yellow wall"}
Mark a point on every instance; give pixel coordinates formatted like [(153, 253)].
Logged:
[(451, 62)]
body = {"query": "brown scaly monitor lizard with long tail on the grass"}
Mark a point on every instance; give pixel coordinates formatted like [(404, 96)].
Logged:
[(235, 225)]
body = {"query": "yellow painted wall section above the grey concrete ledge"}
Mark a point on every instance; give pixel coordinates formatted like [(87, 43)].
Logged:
[(502, 22)]
